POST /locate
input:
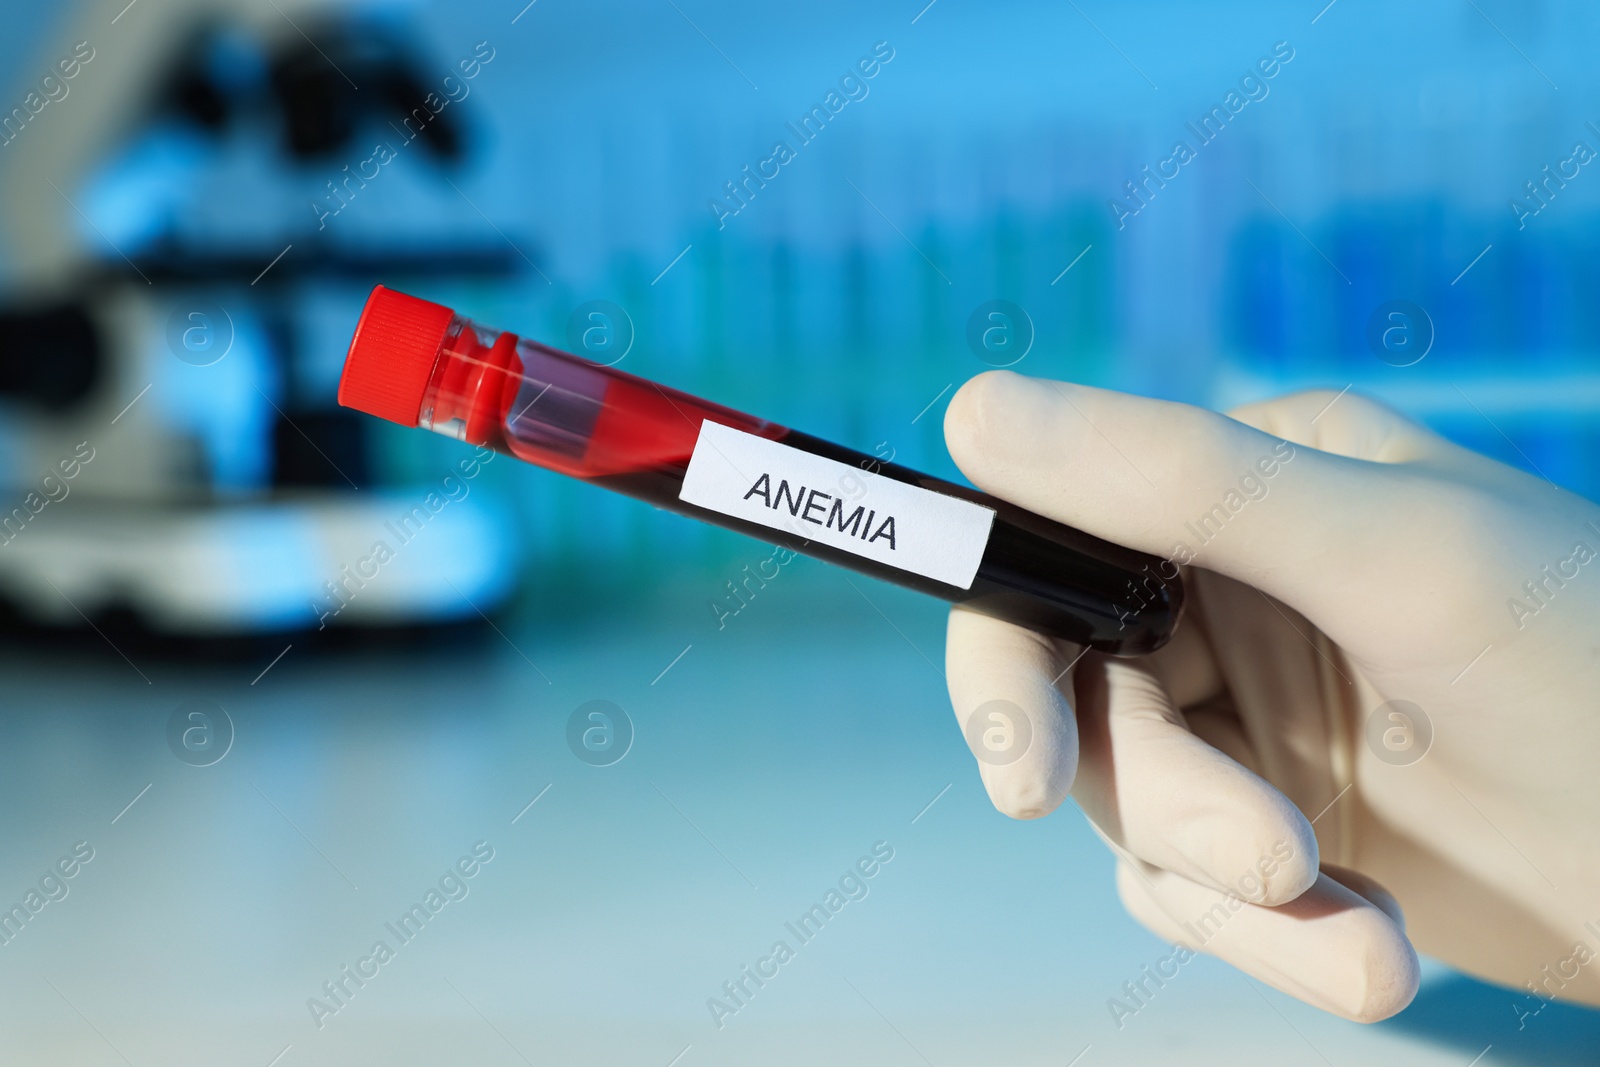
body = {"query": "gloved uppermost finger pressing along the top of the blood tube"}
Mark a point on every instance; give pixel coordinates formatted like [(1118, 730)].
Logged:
[(1190, 486)]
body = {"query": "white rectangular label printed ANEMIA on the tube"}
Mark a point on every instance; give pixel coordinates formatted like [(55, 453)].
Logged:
[(836, 505)]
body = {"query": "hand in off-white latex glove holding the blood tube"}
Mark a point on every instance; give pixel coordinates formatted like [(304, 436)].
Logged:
[(1345, 565)]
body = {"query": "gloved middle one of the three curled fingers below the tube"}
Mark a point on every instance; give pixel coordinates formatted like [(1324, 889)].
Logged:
[(1174, 801)]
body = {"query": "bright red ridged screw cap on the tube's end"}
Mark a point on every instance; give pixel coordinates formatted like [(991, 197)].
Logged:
[(393, 356)]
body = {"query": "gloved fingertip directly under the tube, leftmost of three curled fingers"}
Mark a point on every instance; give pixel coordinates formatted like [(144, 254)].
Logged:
[(1017, 721)]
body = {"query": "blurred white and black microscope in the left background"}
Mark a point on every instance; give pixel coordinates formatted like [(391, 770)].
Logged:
[(191, 217)]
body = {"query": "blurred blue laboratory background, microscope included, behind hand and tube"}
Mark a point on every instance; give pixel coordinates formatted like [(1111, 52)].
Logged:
[(271, 761)]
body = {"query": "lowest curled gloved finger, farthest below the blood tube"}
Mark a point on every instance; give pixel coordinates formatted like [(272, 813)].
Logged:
[(1330, 948)]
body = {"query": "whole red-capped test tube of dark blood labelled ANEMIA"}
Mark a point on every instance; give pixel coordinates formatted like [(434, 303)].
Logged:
[(420, 364)]
